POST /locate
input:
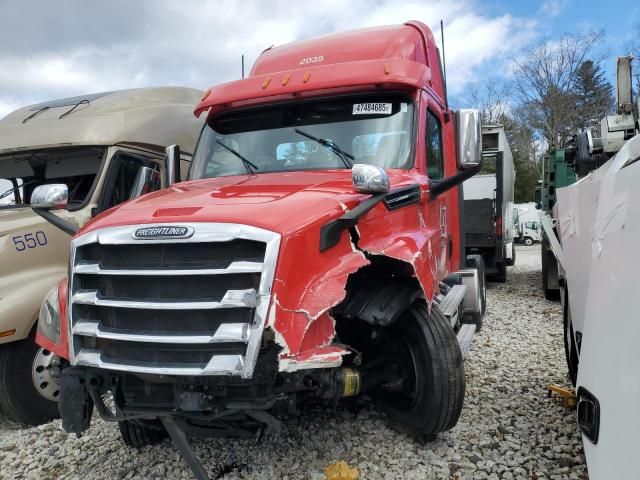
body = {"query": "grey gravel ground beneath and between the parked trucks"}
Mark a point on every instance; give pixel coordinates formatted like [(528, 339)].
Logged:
[(508, 429)]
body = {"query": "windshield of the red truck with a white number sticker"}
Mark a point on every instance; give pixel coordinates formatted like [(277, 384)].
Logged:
[(310, 135)]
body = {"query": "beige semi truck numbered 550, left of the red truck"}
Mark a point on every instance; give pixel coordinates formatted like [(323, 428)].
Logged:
[(104, 149)]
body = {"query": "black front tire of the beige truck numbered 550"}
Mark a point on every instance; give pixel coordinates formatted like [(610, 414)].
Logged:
[(20, 398)]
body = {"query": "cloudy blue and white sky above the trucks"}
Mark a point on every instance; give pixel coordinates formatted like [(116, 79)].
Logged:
[(53, 49)]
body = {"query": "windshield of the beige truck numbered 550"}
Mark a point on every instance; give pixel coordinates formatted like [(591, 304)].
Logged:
[(21, 173)]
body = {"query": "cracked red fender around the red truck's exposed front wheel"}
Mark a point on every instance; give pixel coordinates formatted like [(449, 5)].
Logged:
[(309, 283)]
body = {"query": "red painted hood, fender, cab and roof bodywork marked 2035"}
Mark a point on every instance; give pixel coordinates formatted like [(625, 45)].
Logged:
[(308, 283)]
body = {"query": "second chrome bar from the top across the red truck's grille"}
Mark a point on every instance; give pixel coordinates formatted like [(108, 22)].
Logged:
[(231, 299)]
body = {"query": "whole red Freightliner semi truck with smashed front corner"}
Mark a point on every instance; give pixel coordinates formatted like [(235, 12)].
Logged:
[(315, 251)]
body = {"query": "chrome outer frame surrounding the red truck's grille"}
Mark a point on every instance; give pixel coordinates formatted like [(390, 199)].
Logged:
[(203, 232)]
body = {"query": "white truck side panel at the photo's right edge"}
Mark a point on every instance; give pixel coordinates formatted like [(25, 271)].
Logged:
[(600, 242)]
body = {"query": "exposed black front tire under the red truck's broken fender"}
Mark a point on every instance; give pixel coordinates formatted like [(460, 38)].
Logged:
[(434, 402)]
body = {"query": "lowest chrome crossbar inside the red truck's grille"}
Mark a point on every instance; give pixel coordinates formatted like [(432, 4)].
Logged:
[(218, 365)]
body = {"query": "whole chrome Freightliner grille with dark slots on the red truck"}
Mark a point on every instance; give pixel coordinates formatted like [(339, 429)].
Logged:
[(191, 306)]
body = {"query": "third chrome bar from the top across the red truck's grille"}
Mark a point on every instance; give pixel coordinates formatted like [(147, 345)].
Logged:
[(226, 333)]
